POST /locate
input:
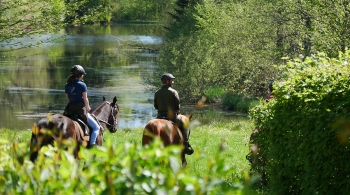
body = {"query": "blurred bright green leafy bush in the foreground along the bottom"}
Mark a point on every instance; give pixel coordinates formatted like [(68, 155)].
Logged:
[(126, 169)]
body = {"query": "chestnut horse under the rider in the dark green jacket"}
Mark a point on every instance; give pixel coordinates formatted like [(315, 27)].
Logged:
[(167, 131)]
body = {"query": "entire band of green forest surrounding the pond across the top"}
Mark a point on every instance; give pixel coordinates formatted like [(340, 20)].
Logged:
[(213, 47)]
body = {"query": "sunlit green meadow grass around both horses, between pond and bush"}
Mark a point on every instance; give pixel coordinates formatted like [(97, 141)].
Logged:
[(217, 136)]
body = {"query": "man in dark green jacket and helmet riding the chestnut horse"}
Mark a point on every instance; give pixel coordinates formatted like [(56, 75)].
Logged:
[(167, 103)]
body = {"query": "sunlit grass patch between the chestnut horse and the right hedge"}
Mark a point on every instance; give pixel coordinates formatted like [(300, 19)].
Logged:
[(229, 140)]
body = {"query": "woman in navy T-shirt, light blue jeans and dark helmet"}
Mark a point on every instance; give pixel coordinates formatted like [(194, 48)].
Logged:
[(78, 102)]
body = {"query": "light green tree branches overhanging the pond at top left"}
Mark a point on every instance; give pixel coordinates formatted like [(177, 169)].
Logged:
[(20, 18)]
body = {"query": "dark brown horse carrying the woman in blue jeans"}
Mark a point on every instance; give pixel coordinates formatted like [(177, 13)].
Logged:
[(56, 127)]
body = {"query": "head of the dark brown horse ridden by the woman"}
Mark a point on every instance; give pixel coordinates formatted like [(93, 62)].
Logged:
[(108, 114)]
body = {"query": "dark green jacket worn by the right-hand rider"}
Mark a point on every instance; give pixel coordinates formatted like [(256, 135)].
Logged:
[(167, 102)]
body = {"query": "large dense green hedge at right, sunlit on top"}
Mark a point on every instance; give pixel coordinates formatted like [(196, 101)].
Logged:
[(301, 142)]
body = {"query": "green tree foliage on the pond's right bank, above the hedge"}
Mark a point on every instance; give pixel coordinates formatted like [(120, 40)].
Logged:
[(236, 45)]
